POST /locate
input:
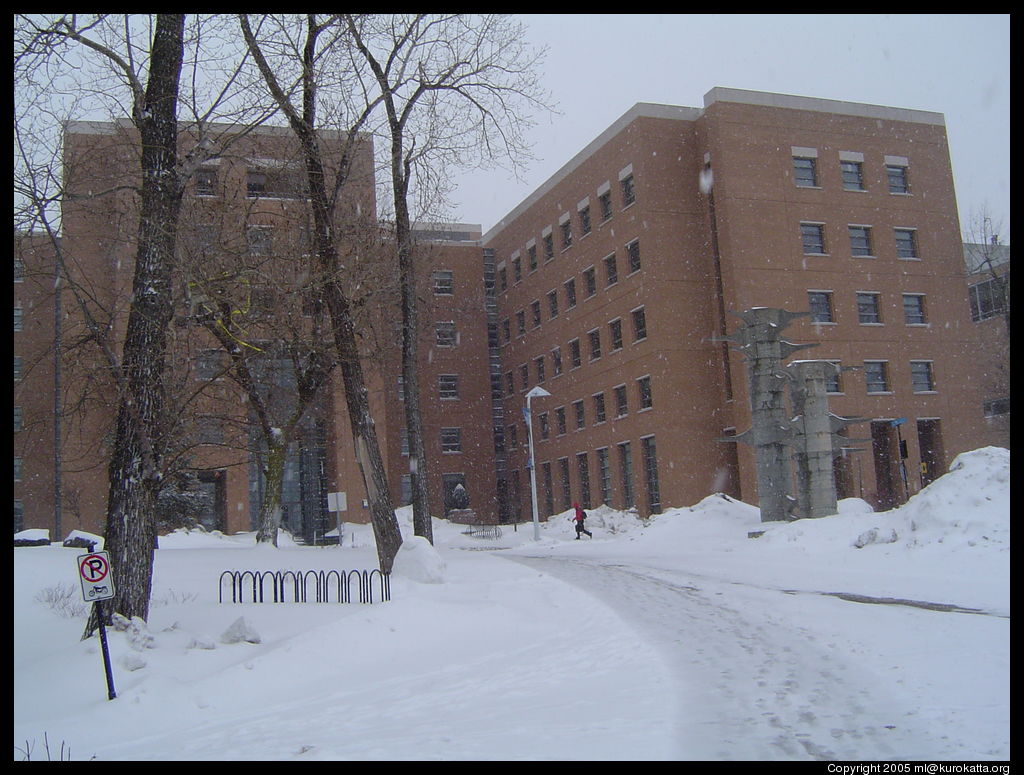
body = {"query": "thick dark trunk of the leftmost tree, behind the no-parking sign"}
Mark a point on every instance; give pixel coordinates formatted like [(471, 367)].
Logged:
[(135, 469)]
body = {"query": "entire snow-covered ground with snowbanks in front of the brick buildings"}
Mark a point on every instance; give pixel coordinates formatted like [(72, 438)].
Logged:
[(862, 636)]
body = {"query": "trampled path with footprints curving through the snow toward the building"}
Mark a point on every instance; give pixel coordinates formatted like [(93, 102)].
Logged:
[(763, 675)]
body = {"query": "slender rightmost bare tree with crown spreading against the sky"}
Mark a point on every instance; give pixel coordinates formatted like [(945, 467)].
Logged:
[(454, 89)]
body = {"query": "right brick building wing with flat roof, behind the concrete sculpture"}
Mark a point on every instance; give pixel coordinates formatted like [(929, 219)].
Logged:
[(617, 277)]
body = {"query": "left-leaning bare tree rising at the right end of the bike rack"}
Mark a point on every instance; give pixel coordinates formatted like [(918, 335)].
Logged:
[(305, 49)]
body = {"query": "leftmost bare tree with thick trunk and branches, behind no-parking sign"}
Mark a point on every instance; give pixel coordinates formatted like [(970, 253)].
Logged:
[(133, 67)]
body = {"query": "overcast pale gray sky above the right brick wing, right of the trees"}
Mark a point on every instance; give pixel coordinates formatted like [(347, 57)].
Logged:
[(599, 66)]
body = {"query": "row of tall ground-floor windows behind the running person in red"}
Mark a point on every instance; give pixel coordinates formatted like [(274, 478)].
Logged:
[(627, 479)]
